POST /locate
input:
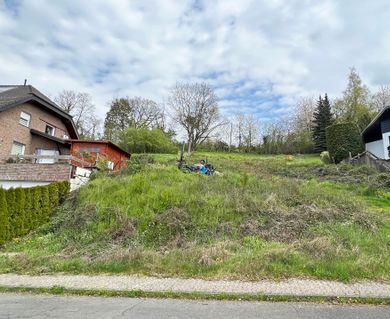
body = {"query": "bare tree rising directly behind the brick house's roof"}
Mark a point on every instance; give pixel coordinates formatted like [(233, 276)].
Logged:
[(80, 106)]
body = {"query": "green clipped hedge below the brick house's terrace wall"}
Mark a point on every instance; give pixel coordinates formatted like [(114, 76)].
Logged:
[(23, 209)]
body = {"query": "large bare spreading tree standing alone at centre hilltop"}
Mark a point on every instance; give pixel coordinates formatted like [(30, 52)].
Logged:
[(195, 108)]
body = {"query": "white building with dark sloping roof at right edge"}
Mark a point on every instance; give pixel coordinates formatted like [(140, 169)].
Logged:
[(376, 135)]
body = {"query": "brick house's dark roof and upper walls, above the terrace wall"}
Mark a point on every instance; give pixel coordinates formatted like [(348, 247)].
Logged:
[(30, 123)]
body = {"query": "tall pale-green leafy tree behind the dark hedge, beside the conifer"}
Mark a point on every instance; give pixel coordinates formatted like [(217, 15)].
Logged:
[(356, 104)]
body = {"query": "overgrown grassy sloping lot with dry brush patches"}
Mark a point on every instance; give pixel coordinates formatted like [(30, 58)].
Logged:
[(263, 217)]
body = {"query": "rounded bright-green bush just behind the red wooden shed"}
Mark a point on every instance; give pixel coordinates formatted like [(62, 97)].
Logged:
[(142, 140)]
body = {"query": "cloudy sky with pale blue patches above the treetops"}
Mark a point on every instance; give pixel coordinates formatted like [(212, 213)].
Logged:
[(260, 56)]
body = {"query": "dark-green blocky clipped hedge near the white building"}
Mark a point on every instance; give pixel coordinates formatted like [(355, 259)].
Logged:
[(342, 139)]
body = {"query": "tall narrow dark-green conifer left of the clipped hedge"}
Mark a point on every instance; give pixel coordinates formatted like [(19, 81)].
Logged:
[(322, 119)]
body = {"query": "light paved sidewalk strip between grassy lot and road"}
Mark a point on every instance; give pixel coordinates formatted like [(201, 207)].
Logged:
[(290, 287)]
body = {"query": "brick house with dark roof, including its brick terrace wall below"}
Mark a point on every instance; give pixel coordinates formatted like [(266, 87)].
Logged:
[(31, 124)]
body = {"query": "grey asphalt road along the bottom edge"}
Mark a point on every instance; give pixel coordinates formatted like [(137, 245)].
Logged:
[(46, 306)]
